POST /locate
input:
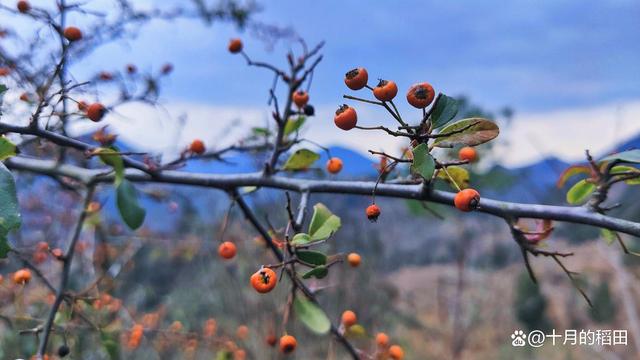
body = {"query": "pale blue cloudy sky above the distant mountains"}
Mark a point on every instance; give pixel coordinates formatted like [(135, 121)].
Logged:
[(552, 61)]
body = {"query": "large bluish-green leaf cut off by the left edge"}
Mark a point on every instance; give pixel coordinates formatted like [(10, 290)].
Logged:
[(9, 208)]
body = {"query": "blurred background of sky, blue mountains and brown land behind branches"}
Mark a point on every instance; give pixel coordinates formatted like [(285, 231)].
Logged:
[(558, 77)]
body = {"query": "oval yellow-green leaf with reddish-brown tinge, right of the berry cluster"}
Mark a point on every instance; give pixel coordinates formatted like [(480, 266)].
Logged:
[(468, 132)]
